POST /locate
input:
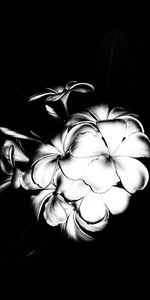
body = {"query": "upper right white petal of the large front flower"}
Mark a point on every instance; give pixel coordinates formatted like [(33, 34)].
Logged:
[(136, 145)]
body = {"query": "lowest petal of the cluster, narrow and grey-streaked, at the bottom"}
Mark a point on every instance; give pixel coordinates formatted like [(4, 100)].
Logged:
[(73, 230)]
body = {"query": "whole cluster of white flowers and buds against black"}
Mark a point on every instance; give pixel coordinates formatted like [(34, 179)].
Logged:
[(88, 170)]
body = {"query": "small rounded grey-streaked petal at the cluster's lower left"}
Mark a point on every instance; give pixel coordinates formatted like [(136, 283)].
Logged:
[(55, 211)]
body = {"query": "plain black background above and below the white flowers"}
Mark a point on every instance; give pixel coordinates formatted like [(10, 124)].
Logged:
[(46, 45)]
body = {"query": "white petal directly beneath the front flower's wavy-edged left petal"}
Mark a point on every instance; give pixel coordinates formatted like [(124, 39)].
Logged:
[(72, 190)]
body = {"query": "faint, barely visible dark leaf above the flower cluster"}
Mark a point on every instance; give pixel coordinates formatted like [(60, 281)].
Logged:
[(109, 64)]
